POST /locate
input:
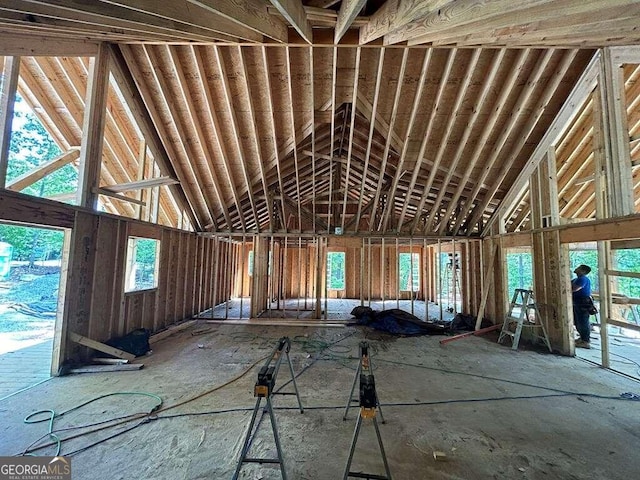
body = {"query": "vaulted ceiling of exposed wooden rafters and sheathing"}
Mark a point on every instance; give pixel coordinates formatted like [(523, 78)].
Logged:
[(266, 132)]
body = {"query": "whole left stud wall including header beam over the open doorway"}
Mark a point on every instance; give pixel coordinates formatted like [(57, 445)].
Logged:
[(97, 306)]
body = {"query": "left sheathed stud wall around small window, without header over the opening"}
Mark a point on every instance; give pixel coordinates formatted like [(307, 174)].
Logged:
[(101, 309)]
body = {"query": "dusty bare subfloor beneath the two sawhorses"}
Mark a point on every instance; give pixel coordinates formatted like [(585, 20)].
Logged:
[(494, 412)]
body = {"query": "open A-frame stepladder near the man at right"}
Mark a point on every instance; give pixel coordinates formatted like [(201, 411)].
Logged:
[(529, 317)]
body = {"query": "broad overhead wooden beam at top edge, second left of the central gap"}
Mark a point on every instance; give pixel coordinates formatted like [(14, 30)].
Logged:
[(252, 14)]
